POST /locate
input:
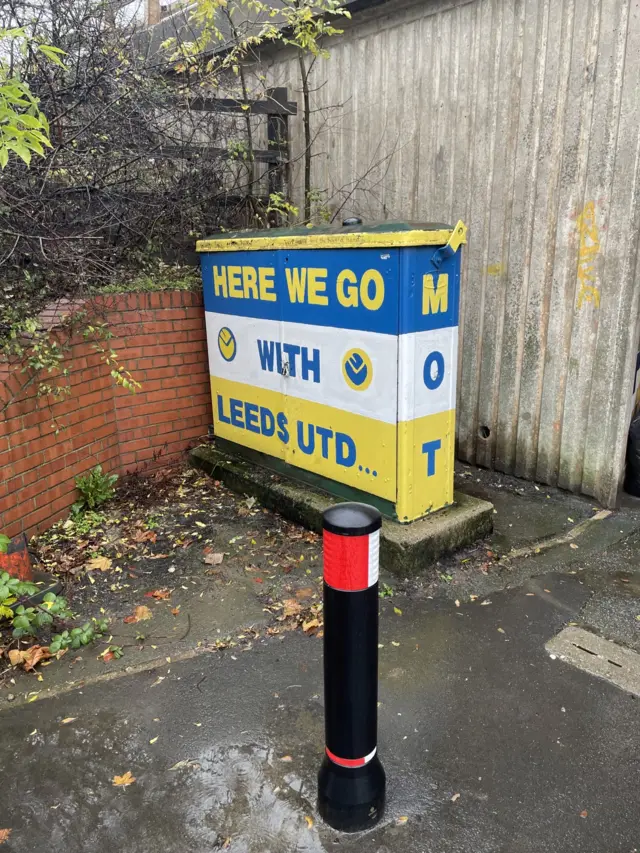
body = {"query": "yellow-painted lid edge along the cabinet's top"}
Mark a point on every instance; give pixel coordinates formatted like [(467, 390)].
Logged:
[(358, 240)]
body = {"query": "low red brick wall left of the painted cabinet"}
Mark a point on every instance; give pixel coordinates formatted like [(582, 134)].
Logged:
[(160, 337)]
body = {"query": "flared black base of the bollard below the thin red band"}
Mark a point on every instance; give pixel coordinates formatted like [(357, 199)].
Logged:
[(351, 799)]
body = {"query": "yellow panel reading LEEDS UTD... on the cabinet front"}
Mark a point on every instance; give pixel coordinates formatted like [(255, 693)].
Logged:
[(349, 448)]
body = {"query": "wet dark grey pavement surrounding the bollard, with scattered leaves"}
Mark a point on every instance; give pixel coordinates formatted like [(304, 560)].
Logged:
[(544, 757)]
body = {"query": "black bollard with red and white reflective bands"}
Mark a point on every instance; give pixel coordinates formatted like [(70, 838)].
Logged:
[(351, 781)]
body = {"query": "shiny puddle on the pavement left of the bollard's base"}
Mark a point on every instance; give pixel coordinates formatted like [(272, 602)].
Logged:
[(235, 797)]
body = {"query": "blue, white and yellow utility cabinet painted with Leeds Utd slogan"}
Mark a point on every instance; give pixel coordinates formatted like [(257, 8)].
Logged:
[(333, 356)]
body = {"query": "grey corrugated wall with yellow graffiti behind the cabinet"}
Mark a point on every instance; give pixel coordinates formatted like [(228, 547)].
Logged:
[(521, 117)]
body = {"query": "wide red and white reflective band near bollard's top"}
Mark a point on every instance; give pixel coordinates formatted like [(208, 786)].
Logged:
[(351, 563)]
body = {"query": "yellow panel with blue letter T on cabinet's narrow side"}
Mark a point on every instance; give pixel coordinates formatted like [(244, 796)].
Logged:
[(425, 464)]
